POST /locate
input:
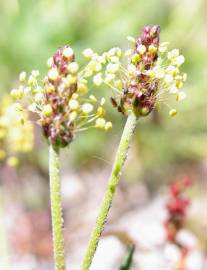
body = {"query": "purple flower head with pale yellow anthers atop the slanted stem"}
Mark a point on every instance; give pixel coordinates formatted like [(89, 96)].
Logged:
[(151, 73)]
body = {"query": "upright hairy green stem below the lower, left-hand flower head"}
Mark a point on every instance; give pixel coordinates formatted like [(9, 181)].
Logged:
[(56, 208)]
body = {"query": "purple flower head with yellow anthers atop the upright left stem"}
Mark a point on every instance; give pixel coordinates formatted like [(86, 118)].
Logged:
[(61, 99)]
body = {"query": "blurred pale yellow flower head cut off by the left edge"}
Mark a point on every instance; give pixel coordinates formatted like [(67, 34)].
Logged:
[(16, 136)]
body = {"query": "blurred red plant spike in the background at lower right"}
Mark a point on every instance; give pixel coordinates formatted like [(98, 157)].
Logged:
[(177, 206)]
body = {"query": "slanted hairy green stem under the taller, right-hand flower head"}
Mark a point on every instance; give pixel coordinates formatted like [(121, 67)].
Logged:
[(112, 184)]
